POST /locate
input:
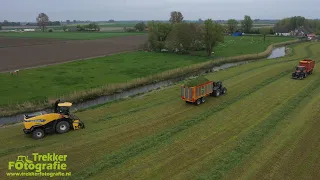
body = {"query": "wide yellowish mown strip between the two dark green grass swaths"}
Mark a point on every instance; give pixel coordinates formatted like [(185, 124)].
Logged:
[(204, 141)]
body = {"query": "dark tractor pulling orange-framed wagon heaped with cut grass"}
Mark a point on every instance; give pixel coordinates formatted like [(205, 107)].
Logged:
[(196, 94)]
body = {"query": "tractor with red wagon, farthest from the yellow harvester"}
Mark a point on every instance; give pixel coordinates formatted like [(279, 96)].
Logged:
[(304, 69)]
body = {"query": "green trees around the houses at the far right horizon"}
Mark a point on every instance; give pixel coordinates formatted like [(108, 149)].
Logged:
[(289, 24)]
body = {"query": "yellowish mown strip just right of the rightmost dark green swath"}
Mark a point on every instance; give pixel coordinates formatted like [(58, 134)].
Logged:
[(269, 153)]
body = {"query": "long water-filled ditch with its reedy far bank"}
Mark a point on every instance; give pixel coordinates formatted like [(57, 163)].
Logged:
[(85, 99)]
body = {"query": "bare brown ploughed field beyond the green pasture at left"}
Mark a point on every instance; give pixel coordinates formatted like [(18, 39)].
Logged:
[(26, 53)]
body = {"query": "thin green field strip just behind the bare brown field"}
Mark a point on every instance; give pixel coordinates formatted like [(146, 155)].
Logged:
[(67, 35)]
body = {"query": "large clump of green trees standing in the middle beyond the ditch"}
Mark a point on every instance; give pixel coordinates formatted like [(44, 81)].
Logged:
[(183, 37)]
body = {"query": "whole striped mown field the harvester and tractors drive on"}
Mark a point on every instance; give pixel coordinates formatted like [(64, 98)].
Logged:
[(265, 127)]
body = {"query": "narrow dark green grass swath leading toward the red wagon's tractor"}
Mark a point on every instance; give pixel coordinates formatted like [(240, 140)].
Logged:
[(144, 144)]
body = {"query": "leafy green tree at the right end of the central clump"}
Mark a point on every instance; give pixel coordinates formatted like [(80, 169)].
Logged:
[(212, 34)]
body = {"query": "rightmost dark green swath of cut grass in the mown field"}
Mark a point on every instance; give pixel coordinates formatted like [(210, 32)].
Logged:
[(230, 160)]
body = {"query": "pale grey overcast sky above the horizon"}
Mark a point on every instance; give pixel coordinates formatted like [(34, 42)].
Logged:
[(61, 10)]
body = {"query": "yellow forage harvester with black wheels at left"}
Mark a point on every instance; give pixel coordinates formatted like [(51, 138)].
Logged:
[(60, 122)]
